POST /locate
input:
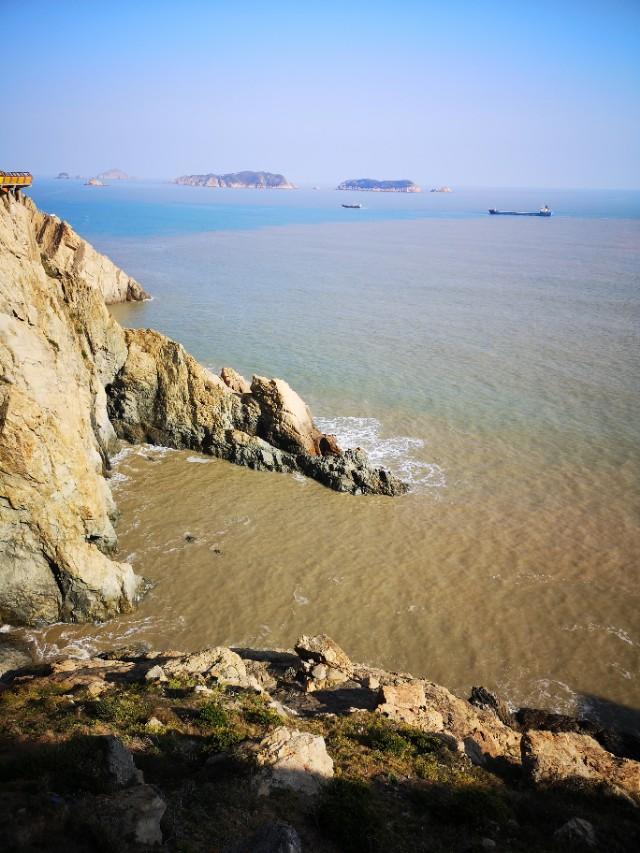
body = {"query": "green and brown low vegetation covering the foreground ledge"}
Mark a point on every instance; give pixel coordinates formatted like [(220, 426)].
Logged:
[(395, 787)]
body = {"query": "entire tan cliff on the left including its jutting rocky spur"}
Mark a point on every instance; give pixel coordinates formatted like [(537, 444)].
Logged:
[(71, 381)]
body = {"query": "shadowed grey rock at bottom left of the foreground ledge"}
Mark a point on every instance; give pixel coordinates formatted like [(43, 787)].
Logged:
[(132, 815)]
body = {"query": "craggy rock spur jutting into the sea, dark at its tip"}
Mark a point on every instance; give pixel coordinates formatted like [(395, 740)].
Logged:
[(163, 396)]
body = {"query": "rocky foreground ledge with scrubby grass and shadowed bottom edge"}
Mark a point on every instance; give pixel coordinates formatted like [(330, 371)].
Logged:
[(249, 751)]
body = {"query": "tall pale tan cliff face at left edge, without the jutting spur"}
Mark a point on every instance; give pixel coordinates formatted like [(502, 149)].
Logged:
[(59, 347)]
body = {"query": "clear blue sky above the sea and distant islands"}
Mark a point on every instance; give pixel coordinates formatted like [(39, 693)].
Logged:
[(464, 92)]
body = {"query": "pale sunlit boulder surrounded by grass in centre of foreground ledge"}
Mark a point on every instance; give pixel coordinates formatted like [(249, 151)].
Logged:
[(295, 760)]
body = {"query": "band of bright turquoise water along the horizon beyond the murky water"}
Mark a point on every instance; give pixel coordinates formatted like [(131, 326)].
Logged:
[(147, 209)]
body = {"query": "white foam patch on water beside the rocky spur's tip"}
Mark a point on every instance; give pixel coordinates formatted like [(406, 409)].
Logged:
[(396, 453)]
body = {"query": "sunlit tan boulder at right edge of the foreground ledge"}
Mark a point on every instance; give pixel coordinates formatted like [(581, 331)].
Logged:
[(549, 757)]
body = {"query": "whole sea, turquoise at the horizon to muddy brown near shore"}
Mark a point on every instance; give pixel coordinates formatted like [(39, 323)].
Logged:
[(491, 362)]
